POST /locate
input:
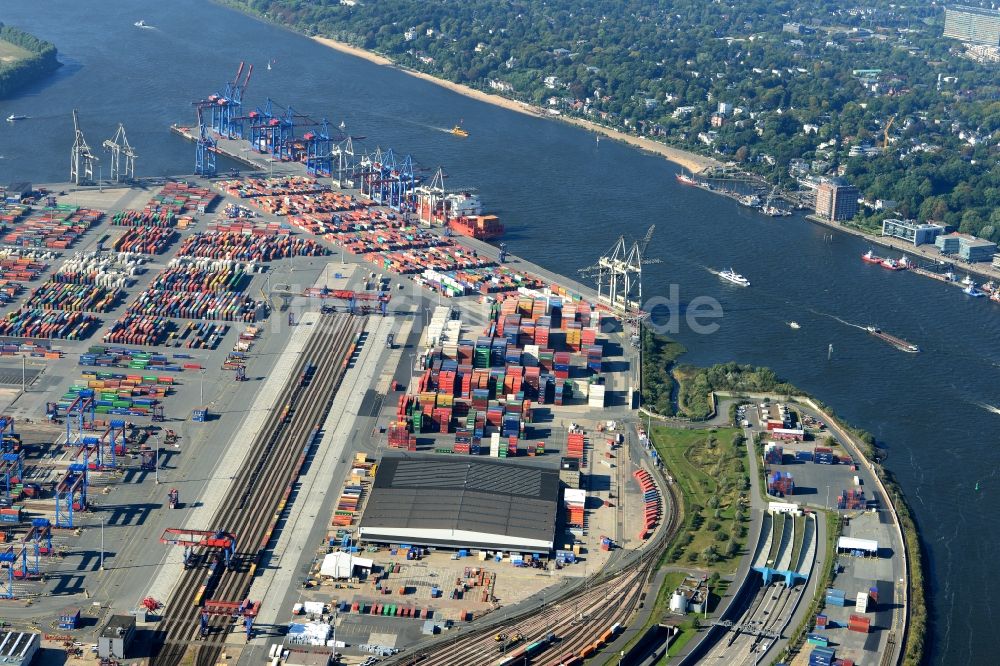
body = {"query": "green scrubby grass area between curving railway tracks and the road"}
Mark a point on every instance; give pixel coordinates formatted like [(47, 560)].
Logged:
[(711, 474)]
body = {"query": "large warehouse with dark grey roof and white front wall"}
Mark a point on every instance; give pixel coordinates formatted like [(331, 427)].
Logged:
[(490, 504)]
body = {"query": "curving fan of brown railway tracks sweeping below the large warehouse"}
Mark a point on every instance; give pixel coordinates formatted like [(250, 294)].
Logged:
[(577, 618)]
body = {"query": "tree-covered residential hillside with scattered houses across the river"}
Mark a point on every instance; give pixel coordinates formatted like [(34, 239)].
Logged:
[(660, 69)]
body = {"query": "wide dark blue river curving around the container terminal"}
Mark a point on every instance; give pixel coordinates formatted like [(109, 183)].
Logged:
[(564, 199)]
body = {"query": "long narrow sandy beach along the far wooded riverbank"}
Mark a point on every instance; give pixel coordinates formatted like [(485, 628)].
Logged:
[(683, 158)]
